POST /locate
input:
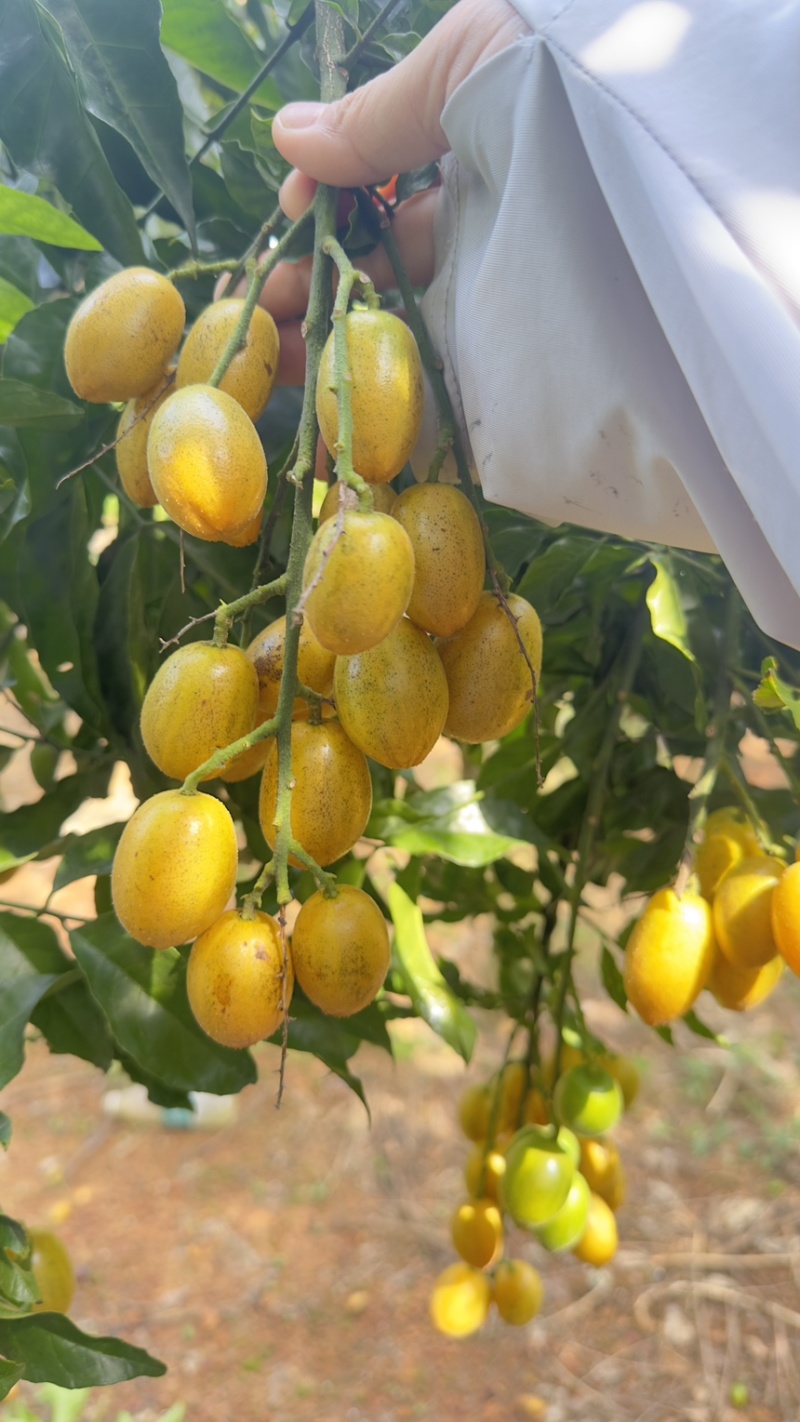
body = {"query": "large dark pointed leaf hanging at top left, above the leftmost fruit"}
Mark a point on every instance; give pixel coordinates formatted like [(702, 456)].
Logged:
[(126, 82)]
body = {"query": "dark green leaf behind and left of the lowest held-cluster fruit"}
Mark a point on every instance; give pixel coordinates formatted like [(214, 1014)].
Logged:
[(144, 998)]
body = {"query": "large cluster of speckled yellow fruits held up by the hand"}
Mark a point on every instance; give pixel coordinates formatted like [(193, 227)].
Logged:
[(399, 643)]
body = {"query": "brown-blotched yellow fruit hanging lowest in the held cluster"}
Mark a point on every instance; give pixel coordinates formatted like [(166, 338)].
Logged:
[(235, 979)]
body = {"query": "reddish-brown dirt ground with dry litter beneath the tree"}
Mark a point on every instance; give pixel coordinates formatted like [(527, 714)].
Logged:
[(281, 1265)]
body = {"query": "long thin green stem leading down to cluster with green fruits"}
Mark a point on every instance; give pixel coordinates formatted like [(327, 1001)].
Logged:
[(619, 686)]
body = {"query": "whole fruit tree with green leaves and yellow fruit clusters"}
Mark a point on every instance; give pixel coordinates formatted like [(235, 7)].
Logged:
[(272, 661)]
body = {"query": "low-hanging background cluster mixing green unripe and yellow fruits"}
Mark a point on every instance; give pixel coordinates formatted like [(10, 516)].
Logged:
[(539, 1161)]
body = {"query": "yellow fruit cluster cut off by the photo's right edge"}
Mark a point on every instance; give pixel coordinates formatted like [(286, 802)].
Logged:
[(734, 938)]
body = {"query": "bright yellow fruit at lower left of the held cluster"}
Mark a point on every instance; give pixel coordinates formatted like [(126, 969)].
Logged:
[(175, 868)]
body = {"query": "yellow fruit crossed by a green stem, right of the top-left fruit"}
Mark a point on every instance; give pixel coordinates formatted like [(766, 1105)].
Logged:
[(252, 373)]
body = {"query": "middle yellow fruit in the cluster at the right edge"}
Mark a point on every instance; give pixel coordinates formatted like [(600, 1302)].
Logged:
[(742, 912)]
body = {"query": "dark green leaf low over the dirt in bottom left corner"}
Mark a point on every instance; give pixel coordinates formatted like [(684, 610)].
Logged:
[(55, 1350)]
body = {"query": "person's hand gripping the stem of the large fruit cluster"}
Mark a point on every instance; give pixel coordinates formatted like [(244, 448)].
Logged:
[(393, 124)]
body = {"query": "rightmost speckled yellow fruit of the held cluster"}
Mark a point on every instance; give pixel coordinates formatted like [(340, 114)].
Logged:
[(488, 678)]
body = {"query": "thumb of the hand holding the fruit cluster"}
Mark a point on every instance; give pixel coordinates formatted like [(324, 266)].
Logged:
[(394, 123)]
